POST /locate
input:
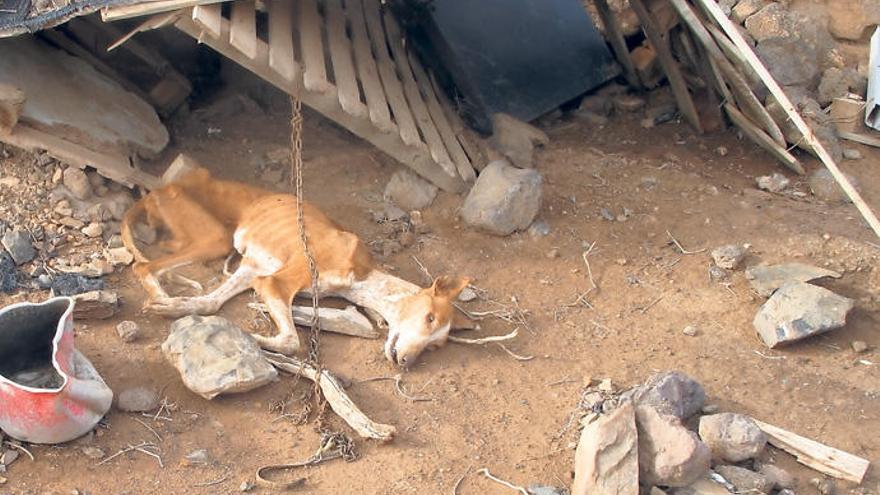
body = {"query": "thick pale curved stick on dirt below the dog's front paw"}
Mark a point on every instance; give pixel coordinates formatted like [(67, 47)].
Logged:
[(335, 394)]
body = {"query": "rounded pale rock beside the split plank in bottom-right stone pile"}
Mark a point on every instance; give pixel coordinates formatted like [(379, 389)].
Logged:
[(732, 437)]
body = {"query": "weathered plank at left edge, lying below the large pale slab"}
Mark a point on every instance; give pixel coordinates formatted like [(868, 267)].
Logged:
[(116, 167)]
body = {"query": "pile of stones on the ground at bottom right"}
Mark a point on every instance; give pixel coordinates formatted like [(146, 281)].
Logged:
[(661, 437)]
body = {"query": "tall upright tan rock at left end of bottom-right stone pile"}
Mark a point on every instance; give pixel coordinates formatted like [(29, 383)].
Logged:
[(606, 460)]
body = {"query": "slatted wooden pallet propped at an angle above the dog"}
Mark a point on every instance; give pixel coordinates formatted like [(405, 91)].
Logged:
[(349, 62)]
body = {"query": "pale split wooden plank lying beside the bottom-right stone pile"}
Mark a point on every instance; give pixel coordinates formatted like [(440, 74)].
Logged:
[(826, 460)]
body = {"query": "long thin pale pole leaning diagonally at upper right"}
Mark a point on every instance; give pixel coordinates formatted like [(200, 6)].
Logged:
[(734, 34)]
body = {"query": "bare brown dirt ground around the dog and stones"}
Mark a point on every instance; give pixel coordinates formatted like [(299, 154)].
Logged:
[(487, 409)]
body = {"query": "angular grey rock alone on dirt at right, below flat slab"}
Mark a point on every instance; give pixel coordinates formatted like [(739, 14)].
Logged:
[(800, 310)]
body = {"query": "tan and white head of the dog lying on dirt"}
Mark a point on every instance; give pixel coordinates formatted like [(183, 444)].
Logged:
[(424, 320)]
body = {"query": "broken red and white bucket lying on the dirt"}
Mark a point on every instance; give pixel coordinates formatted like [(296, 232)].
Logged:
[(49, 392)]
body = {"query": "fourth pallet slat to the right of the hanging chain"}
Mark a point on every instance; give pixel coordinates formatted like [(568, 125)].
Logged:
[(393, 88)]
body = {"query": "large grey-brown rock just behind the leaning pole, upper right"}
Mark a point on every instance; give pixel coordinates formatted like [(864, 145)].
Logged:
[(790, 62)]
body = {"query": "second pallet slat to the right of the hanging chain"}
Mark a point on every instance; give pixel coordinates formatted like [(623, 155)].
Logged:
[(341, 57)]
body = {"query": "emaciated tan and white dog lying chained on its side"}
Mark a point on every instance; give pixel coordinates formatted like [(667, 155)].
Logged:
[(208, 218)]
